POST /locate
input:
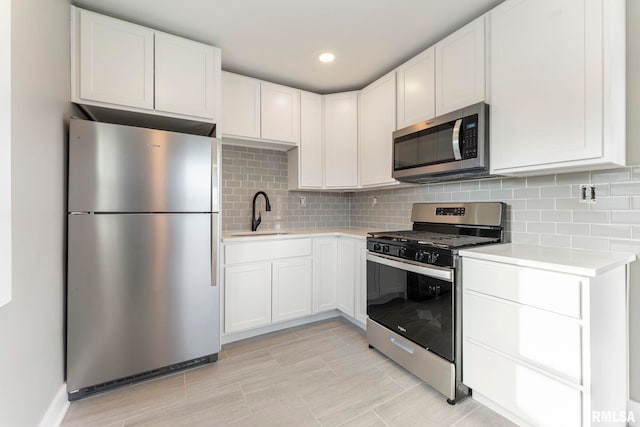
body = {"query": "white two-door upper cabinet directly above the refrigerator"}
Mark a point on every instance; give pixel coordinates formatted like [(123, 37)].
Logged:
[(117, 64)]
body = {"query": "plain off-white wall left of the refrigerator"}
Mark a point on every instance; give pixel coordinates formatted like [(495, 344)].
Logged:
[(31, 325)]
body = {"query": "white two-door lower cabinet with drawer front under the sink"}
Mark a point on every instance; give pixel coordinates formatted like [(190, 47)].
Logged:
[(266, 282)]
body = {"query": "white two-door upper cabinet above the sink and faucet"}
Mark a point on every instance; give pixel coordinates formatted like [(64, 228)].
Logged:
[(260, 110)]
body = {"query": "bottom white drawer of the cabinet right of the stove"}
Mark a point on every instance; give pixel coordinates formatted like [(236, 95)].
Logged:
[(527, 393)]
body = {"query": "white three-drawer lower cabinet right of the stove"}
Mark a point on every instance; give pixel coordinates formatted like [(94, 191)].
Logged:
[(543, 346)]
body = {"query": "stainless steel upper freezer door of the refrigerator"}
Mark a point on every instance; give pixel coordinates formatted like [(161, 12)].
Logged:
[(115, 168)]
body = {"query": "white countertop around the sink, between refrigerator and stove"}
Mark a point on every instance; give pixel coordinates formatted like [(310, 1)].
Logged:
[(242, 236)]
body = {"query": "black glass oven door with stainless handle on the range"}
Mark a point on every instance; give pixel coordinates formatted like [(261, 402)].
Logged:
[(414, 300)]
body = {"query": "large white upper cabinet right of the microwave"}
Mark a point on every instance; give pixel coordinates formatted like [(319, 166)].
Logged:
[(557, 85)]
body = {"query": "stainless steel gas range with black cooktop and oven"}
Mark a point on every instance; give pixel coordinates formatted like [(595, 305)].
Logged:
[(414, 289)]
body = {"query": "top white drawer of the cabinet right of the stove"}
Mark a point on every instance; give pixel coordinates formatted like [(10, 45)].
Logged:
[(556, 292)]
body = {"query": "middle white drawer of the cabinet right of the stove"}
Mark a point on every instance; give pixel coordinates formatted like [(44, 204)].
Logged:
[(541, 338)]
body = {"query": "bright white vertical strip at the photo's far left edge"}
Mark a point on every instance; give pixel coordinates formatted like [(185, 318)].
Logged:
[(5, 151)]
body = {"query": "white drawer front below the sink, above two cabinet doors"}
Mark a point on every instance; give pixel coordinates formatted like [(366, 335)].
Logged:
[(266, 250)]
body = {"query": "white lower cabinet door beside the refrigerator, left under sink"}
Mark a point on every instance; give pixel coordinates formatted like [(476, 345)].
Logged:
[(247, 296)]
